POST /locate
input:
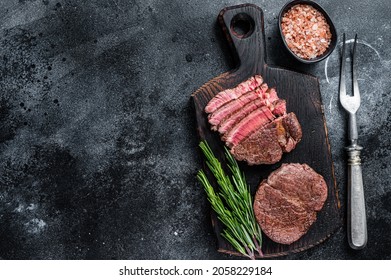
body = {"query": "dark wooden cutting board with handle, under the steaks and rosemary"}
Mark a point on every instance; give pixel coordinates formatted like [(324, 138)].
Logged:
[(243, 27)]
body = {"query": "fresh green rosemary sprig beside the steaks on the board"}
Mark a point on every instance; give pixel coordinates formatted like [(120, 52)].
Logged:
[(233, 203)]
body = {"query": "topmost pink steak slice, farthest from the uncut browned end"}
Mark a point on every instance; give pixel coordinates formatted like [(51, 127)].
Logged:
[(226, 96)]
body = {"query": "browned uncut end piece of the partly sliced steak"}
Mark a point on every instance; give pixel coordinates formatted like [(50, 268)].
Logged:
[(267, 144)]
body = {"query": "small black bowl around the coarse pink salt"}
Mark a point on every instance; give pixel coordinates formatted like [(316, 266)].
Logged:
[(334, 38)]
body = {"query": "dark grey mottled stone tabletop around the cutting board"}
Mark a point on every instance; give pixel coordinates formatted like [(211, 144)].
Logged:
[(98, 145)]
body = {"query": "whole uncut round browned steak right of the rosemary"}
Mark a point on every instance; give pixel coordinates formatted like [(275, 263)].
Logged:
[(285, 205)]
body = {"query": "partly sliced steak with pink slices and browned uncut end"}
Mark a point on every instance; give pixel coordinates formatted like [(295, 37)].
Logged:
[(253, 122)]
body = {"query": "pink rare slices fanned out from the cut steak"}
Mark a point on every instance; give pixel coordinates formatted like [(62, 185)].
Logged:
[(239, 112)]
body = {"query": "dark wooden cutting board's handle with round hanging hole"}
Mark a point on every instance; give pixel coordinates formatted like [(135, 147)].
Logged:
[(243, 27)]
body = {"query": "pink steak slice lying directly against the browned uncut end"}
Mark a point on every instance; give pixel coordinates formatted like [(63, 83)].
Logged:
[(246, 126)]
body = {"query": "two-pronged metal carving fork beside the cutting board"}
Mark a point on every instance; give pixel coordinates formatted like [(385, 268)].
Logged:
[(357, 224)]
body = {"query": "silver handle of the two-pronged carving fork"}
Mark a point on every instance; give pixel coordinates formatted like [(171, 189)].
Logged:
[(357, 221)]
